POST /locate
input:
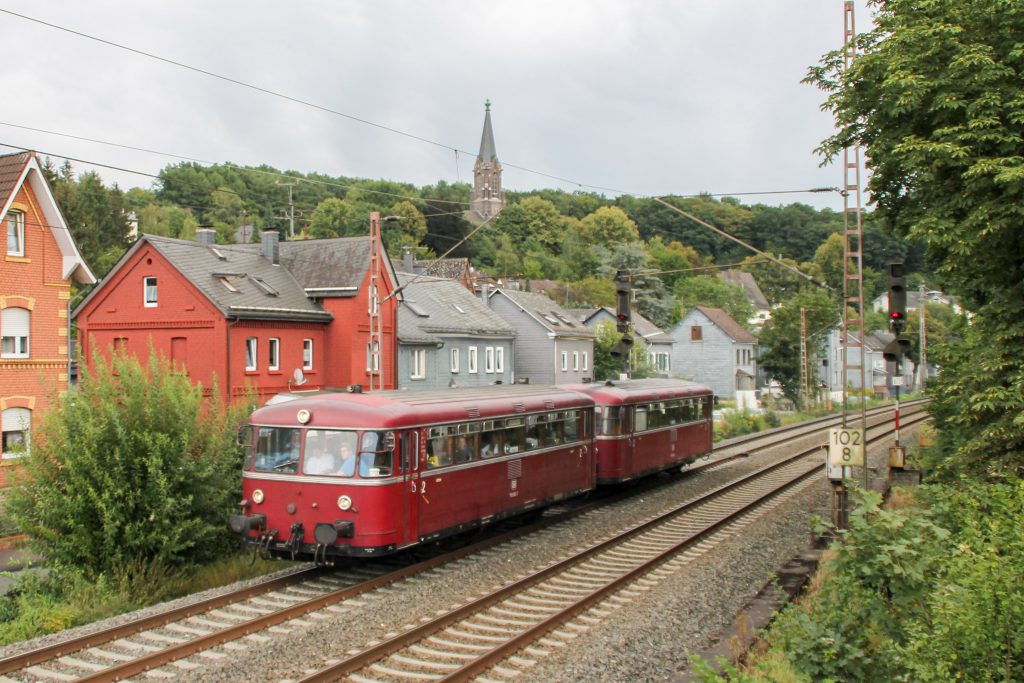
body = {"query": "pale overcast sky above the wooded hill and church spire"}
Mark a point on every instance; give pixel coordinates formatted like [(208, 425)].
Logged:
[(648, 98)]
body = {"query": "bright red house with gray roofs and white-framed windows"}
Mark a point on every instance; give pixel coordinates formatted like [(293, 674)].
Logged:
[(251, 316)]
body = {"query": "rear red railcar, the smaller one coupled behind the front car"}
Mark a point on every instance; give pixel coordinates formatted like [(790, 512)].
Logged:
[(646, 426)]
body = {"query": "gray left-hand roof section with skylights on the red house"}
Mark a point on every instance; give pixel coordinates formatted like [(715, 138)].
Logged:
[(259, 289)]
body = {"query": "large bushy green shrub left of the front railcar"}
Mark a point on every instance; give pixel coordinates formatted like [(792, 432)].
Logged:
[(135, 467)]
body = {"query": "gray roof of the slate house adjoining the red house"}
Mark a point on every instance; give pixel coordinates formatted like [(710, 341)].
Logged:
[(436, 307)]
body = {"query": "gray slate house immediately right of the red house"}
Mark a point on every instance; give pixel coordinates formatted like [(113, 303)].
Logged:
[(448, 337)]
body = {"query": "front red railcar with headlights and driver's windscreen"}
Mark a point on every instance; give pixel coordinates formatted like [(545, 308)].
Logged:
[(422, 465)]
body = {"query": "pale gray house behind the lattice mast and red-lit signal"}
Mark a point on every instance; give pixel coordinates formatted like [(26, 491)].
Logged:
[(877, 372)]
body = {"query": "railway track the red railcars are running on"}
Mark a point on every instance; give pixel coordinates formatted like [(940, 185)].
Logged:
[(147, 645)]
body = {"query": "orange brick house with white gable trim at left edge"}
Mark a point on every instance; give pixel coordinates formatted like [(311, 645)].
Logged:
[(40, 262)]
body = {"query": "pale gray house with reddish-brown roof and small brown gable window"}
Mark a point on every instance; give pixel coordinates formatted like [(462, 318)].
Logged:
[(714, 350)]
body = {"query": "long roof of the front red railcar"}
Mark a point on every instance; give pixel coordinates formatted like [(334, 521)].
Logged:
[(386, 410)]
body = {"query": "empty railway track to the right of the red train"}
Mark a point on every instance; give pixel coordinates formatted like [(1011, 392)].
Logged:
[(547, 610)]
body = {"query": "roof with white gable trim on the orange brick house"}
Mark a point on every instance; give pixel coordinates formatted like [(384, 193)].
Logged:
[(24, 167)]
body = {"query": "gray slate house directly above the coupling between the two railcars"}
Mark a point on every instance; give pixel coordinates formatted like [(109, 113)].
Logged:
[(552, 347)]
